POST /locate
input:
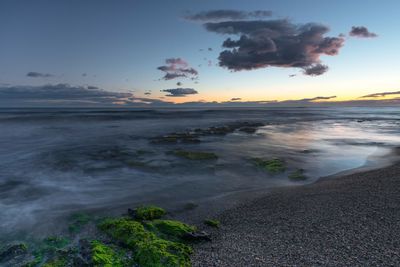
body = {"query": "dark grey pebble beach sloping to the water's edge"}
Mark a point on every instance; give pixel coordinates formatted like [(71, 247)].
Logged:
[(343, 219)]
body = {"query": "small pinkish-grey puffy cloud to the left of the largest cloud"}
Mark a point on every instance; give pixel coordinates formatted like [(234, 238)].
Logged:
[(177, 68)]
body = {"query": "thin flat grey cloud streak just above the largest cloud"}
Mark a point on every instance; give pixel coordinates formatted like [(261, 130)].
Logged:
[(227, 14)]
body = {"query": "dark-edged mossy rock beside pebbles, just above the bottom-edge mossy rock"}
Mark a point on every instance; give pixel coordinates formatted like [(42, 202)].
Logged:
[(170, 229)]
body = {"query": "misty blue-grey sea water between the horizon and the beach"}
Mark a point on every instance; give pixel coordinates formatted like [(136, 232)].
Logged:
[(54, 162)]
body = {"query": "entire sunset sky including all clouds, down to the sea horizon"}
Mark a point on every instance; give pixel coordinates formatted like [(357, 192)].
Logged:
[(128, 53)]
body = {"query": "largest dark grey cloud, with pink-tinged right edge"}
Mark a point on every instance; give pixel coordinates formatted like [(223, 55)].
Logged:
[(275, 43)]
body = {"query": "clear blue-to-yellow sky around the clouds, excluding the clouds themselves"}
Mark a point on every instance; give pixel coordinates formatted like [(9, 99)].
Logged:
[(120, 44)]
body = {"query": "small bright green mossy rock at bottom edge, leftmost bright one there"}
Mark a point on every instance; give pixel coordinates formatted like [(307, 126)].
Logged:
[(105, 256)]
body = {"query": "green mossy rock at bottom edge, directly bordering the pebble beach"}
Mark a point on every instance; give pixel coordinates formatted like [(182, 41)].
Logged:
[(162, 253)]
